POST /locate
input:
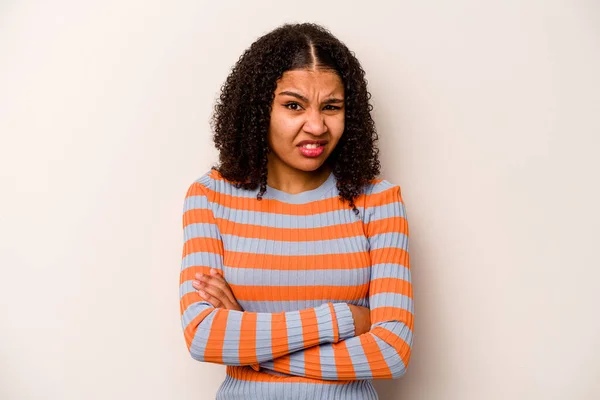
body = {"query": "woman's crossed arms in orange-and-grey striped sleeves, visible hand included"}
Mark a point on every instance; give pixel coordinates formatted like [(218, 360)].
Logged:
[(324, 342)]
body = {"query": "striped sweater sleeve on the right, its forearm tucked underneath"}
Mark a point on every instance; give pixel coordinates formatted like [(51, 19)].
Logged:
[(384, 351)]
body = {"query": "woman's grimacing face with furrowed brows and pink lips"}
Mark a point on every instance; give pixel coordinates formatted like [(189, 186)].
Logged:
[(308, 106)]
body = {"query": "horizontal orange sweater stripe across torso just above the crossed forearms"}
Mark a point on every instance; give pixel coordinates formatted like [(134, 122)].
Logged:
[(291, 293)]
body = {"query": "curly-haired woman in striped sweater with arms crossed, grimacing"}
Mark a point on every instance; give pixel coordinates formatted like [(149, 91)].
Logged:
[(295, 270)]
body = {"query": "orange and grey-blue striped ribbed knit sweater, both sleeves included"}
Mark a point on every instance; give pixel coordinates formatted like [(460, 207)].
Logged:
[(294, 262)]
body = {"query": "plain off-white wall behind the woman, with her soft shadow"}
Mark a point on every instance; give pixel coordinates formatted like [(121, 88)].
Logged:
[(488, 118)]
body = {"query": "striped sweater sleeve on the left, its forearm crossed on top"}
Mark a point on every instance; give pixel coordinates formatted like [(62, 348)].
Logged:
[(234, 337)]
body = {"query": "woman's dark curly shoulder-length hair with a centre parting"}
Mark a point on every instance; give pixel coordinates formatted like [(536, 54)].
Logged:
[(242, 113)]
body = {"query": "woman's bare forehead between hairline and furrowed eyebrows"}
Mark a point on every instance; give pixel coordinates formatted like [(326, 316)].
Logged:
[(310, 80)]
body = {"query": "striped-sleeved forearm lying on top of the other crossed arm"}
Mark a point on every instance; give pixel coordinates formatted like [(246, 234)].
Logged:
[(242, 338)]
